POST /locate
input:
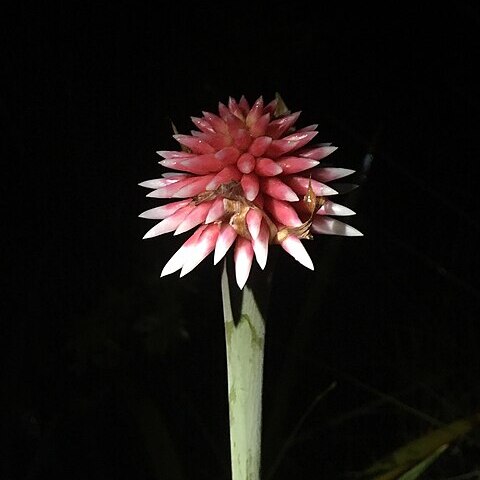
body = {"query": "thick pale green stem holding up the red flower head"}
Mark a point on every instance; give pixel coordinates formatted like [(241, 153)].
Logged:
[(245, 341)]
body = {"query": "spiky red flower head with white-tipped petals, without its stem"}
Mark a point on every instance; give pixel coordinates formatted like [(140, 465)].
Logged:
[(246, 179)]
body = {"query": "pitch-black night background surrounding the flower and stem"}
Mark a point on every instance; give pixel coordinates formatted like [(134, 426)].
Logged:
[(111, 372)]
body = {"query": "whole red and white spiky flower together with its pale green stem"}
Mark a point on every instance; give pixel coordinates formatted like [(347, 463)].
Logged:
[(247, 178)]
